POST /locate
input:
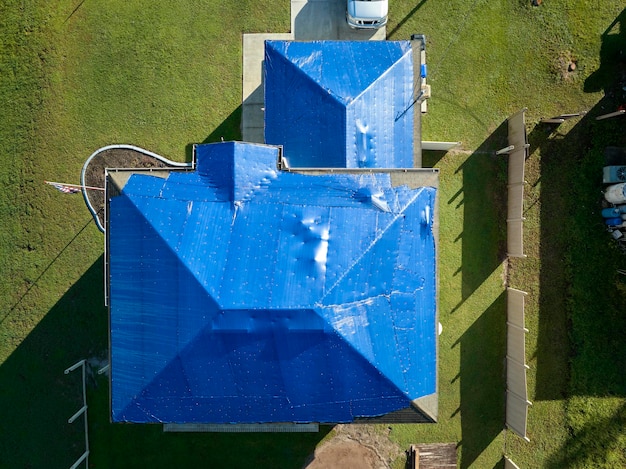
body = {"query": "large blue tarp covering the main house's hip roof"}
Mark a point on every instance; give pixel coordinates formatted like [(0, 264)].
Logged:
[(239, 293)]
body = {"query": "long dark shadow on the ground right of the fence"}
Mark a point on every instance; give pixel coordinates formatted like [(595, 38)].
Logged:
[(580, 304)]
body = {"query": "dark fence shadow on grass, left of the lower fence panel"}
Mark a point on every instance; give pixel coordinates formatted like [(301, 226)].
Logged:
[(482, 376)]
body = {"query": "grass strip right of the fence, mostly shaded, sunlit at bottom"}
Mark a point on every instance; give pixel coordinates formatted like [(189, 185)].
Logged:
[(576, 319)]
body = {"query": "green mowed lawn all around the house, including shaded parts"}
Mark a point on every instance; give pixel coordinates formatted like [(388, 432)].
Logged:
[(78, 75)]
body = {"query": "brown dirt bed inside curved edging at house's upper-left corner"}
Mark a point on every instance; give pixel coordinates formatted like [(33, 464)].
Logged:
[(113, 158)]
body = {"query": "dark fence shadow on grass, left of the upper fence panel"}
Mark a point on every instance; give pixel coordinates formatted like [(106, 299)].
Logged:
[(483, 198)]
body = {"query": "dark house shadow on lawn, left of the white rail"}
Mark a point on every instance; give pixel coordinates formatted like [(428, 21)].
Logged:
[(36, 398)]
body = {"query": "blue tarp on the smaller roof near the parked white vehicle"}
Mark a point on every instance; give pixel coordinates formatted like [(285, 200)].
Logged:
[(340, 104)]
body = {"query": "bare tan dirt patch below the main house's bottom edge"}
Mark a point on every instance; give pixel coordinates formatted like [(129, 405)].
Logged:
[(355, 446)]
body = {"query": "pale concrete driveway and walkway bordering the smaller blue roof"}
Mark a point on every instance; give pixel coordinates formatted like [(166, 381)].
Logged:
[(311, 20)]
